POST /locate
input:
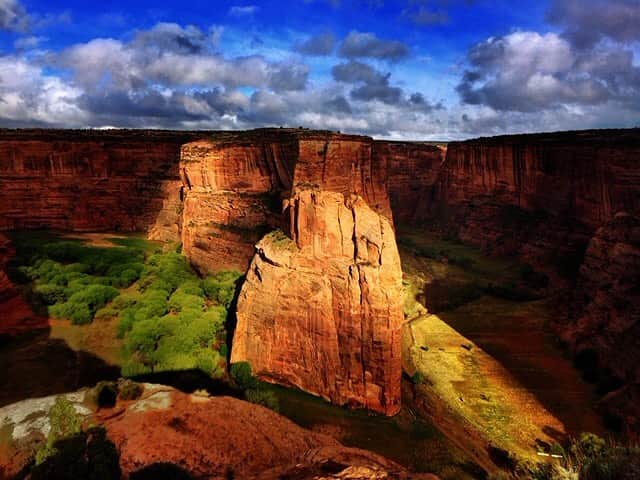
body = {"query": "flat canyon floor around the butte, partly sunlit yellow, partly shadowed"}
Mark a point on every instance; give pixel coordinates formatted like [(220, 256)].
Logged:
[(483, 374)]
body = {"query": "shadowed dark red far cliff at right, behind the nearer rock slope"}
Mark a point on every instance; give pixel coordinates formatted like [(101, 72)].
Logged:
[(539, 196)]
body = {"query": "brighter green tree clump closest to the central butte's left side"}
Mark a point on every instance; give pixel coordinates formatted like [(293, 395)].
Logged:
[(175, 321)]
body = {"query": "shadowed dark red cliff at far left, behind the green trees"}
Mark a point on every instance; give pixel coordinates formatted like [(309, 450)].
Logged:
[(91, 181)]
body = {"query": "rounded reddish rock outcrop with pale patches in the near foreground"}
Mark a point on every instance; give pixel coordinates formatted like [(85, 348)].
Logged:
[(201, 437)]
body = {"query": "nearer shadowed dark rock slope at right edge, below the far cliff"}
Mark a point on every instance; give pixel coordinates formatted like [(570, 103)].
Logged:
[(605, 319)]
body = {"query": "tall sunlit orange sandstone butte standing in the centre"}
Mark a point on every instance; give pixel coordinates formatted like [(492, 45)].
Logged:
[(321, 308)]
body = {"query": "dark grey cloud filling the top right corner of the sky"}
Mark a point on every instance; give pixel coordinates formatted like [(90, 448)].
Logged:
[(586, 22)]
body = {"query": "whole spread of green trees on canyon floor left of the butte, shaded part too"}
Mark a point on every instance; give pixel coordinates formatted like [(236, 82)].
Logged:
[(167, 316)]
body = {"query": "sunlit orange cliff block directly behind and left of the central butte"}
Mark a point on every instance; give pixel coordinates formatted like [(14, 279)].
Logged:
[(232, 197)]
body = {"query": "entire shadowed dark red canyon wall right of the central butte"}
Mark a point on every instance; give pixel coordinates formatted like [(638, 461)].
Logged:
[(568, 204)]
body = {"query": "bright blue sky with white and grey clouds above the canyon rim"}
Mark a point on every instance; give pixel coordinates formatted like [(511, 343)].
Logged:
[(401, 69)]
